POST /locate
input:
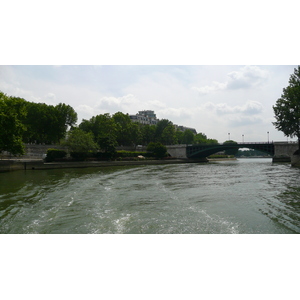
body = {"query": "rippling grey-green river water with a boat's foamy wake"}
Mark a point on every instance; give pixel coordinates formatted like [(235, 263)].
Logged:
[(231, 197)]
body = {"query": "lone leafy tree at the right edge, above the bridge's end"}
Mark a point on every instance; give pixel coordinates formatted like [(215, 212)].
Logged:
[(287, 108)]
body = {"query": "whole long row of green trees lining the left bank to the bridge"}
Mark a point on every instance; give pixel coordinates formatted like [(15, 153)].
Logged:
[(27, 122)]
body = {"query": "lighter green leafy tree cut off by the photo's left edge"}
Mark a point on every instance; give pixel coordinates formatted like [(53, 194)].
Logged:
[(12, 112)]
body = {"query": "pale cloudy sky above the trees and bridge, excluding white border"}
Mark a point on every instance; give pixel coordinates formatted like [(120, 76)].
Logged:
[(221, 101)]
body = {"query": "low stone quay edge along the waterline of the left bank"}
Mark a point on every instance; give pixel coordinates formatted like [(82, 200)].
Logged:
[(38, 164)]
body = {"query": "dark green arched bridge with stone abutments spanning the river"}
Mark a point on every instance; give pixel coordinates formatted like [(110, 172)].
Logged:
[(280, 151)]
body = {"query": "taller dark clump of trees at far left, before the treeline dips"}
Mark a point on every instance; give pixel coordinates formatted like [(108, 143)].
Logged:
[(28, 122)]
